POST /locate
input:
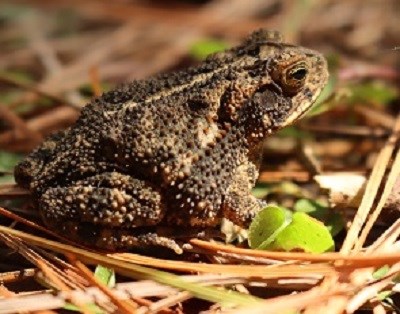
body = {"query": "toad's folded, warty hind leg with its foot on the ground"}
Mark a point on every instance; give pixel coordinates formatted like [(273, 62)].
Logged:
[(110, 211)]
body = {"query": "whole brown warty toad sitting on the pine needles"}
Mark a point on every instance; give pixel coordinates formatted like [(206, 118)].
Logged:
[(179, 149)]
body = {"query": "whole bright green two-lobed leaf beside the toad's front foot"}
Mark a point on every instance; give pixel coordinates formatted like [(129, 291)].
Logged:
[(272, 229)]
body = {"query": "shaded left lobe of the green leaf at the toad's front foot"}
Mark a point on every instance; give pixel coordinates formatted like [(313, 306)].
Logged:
[(267, 225)]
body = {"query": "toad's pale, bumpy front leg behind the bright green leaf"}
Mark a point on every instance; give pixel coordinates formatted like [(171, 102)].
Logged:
[(240, 206)]
